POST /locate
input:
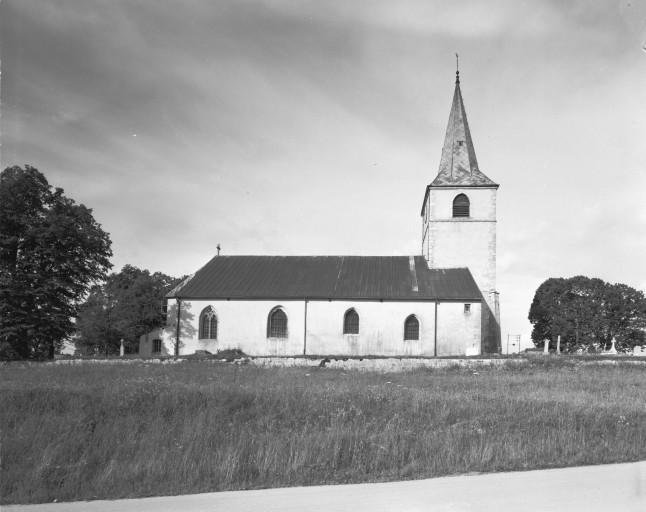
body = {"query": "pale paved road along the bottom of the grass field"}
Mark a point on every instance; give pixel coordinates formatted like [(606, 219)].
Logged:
[(615, 487)]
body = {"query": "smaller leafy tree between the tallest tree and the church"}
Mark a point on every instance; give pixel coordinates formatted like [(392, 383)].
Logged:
[(126, 306)]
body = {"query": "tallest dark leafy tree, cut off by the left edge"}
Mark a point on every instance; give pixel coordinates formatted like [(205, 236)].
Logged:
[(51, 252)]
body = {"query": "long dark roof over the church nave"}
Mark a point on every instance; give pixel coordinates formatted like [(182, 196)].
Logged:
[(328, 277)]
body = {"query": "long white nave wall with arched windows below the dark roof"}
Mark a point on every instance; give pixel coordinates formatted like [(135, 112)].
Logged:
[(243, 325)]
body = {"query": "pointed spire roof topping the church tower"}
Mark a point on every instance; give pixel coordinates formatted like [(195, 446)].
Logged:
[(458, 164)]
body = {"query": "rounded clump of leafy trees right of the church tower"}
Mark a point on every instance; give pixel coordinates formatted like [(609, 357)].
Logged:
[(587, 312)]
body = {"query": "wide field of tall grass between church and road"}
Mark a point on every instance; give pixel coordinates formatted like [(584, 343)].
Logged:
[(111, 431)]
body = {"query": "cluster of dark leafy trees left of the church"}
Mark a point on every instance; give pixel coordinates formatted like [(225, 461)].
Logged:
[(54, 282)]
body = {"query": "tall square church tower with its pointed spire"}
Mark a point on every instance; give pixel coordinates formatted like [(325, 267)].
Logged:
[(459, 217)]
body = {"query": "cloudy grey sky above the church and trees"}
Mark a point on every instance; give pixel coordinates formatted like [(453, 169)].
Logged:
[(313, 127)]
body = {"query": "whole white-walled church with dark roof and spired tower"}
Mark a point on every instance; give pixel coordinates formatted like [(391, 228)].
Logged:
[(442, 302)]
